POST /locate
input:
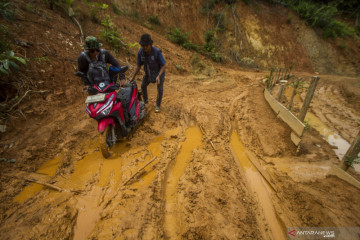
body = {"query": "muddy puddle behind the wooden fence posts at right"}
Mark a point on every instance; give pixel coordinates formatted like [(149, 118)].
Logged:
[(334, 139)]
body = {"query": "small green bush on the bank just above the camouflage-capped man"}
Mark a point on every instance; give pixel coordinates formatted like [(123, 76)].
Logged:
[(111, 35)]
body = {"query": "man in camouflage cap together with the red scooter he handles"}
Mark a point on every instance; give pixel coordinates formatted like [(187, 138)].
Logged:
[(117, 113)]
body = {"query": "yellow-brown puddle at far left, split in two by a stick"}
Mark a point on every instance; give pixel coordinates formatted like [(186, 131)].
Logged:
[(49, 169)]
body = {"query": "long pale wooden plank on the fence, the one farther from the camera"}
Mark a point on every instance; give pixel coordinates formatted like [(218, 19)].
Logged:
[(290, 119)]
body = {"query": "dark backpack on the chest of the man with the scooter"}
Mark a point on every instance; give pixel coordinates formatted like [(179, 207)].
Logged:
[(98, 71)]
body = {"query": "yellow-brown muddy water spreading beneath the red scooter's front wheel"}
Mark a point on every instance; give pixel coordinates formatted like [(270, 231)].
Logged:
[(109, 178)]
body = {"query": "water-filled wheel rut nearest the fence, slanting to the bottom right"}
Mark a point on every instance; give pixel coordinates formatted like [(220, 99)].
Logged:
[(258, 186)]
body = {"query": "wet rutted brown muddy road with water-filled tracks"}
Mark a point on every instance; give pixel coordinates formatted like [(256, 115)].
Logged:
[(216, 163)]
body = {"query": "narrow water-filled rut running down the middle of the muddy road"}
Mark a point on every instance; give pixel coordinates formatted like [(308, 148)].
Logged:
[(193, 140)]
